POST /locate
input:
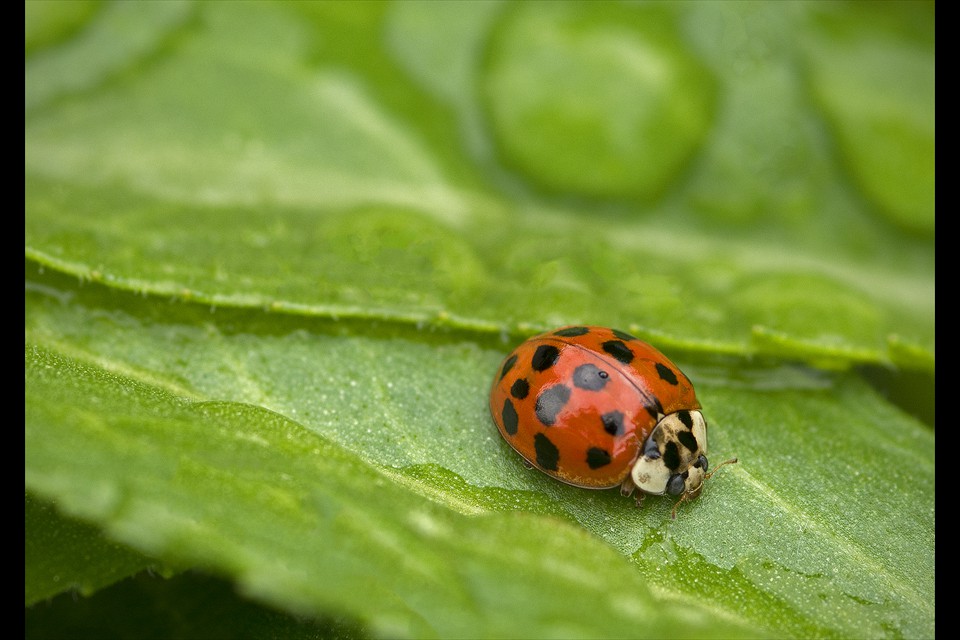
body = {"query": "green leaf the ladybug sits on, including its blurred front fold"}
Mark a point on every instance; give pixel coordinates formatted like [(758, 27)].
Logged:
[(387, 455)]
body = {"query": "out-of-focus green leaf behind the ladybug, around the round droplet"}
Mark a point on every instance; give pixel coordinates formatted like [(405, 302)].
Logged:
[(342, 204)]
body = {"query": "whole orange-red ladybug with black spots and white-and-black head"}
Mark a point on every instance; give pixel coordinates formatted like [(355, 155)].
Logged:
[(596, 407)]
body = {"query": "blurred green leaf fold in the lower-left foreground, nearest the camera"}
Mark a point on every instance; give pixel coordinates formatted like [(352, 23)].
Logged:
[(303, 523)]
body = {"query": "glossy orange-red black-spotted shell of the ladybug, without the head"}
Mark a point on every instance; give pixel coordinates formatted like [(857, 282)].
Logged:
[(579, 402)]
